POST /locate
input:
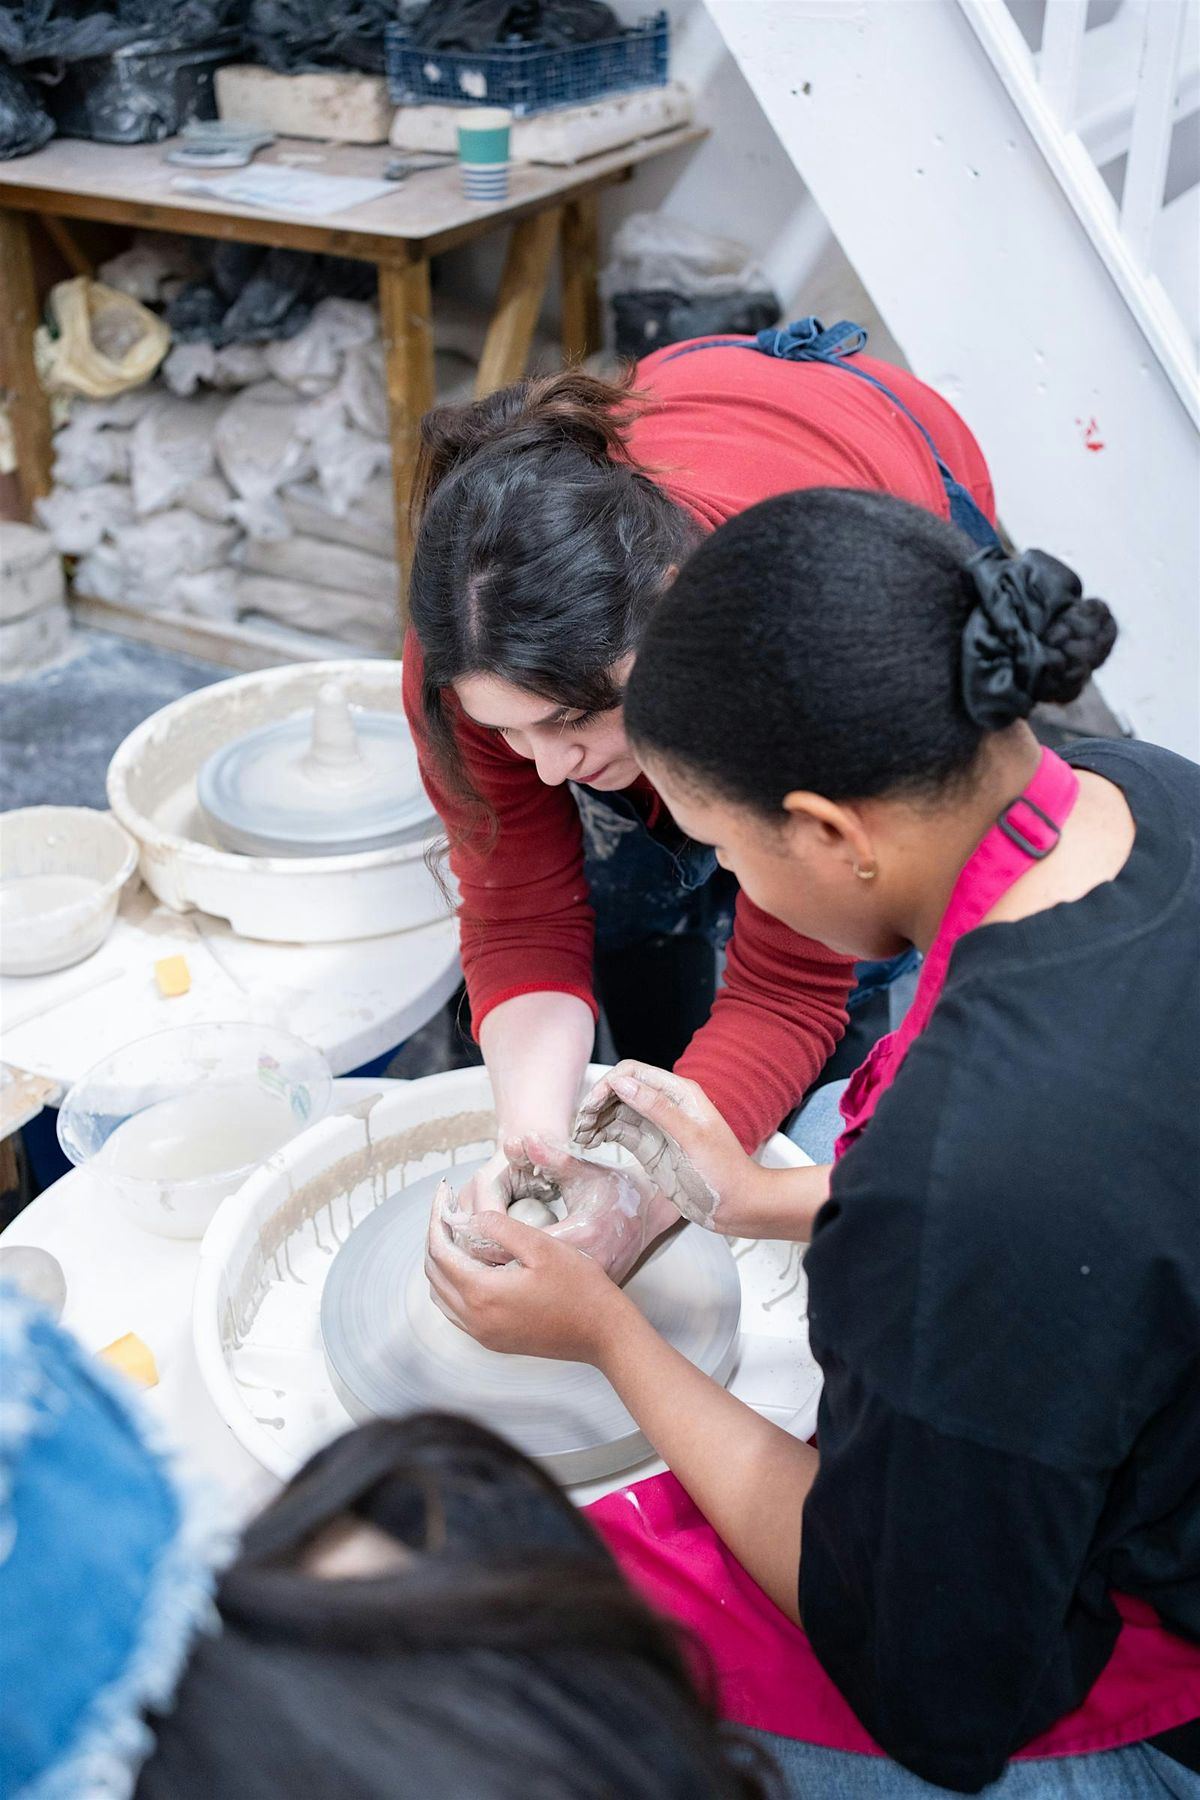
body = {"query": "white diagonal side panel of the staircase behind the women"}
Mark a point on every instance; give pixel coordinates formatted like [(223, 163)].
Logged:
[(978, 258)]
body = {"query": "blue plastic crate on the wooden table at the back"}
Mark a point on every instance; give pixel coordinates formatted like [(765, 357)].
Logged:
[(528, 78)]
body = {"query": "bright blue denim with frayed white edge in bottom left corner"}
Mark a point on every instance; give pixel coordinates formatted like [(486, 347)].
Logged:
[(96, 1623)]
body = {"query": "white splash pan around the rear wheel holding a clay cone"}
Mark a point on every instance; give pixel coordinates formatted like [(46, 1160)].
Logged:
[(152, 791)]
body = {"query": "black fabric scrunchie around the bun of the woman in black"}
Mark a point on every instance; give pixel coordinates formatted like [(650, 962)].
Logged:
[(1008, 658)]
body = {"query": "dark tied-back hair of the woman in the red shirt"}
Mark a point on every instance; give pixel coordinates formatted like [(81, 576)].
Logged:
[(542, 546)]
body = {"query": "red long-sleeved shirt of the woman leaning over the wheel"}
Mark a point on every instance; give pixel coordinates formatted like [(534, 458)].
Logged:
[(731, 429)]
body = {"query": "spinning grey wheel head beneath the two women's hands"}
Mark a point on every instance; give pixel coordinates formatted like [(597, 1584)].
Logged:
[(390, 1351)]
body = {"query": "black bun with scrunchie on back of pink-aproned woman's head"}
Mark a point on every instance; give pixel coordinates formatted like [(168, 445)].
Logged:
[(1032, 636)]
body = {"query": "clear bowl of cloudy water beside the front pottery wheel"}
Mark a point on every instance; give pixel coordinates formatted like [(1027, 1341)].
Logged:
[(174, 1124)]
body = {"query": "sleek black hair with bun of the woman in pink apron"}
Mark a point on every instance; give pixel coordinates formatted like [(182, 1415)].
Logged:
[(854, 645)]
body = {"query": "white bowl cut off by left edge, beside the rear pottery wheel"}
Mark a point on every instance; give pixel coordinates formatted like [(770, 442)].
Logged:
[(62, 870)]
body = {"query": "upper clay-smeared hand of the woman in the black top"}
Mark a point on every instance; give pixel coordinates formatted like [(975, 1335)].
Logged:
[(679, 1140)]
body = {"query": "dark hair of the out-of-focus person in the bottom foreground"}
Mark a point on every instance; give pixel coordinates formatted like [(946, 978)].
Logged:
[(506, 1655)]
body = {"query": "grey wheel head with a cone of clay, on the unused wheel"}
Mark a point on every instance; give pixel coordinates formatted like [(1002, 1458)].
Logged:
[(327, 784)]
